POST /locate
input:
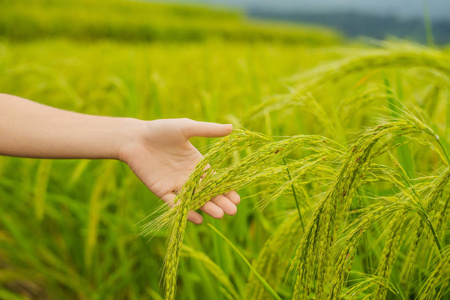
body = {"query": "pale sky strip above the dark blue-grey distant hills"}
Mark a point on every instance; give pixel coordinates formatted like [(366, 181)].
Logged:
[(439, 9)]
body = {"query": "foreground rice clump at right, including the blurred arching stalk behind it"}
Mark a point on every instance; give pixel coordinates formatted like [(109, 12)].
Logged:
[(325, 249)]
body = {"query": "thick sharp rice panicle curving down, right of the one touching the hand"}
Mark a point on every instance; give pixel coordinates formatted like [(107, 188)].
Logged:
[(329, 213)]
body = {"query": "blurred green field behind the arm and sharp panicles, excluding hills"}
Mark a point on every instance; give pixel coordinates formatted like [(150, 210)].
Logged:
[(69, 229)]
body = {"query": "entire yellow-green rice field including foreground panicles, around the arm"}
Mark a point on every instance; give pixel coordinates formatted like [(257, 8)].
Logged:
[(340, 154)]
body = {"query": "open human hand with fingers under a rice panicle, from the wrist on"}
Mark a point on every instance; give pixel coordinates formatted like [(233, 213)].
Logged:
[(162, 157)]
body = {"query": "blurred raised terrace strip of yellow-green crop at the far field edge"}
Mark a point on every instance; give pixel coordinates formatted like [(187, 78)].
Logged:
[(134, 21)]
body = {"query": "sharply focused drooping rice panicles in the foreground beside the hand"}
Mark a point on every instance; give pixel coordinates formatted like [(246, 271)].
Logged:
[(313, 259)]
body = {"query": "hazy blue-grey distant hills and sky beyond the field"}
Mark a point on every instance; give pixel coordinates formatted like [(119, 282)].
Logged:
[(375, 19)]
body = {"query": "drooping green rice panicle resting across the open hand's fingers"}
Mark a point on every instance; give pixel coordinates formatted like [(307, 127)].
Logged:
[(225, 179)]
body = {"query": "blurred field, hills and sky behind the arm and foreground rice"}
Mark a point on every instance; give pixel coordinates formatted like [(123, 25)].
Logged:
[(69, 229)]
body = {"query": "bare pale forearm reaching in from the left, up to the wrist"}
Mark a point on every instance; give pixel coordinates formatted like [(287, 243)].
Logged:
[(29, 129)]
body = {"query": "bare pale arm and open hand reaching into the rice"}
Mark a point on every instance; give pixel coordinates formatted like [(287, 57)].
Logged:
[(157, 151)]
